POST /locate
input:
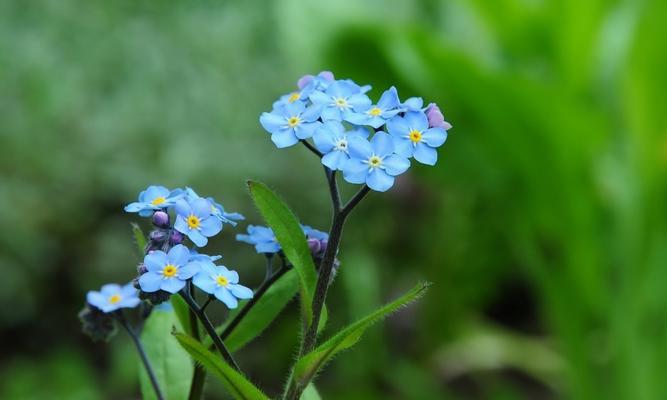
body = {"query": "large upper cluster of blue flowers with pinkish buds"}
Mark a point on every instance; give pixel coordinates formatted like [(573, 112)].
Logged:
[(340, 118)]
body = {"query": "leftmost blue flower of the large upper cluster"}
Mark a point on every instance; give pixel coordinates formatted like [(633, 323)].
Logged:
[(288, 123)]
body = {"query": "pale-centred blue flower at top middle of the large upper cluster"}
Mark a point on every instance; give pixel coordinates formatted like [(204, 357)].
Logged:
[(341, 100)]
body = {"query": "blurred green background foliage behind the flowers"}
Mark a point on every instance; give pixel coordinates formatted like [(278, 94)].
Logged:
[(543, 226)]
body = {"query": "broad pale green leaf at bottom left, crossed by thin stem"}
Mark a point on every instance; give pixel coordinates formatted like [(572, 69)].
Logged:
[(170, 362)]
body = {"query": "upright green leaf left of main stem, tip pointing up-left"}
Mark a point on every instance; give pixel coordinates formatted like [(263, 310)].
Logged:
[(286, 227)]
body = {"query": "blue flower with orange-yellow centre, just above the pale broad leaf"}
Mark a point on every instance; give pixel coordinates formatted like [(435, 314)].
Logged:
[(167, 271)]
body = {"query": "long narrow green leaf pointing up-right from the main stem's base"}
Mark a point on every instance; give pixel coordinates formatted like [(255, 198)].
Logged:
[(311, 363)]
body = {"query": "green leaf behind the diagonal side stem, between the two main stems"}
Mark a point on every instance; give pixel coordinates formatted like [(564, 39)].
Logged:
[(264, 311)]
